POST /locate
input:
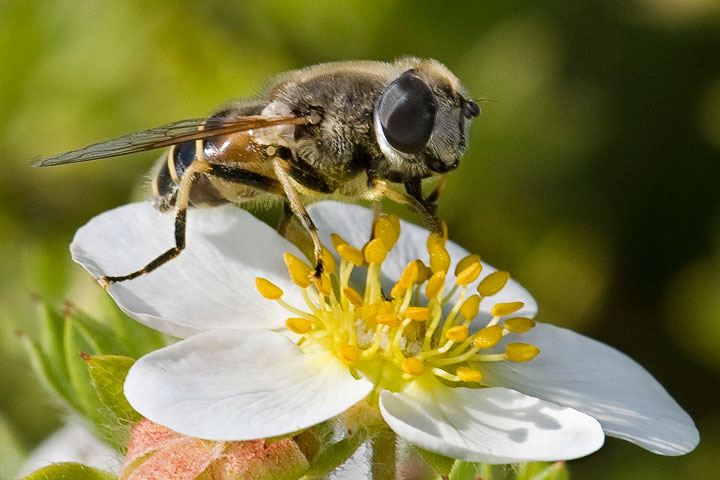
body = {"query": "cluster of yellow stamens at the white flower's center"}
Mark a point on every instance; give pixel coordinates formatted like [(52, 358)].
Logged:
[(404, 336)]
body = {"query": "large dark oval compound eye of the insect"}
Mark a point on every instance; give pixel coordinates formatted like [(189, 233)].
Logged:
[(407, 113)]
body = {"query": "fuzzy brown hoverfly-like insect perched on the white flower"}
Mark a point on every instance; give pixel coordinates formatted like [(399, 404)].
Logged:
[(344, 130)]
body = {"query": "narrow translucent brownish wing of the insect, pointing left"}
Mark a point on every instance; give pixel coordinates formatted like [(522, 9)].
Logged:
[(166, 135)]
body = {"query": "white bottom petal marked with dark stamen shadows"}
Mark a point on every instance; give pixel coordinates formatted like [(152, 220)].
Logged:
[(491, 425)]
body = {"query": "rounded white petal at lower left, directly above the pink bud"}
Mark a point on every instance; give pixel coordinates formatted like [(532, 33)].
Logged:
[(240, 385)]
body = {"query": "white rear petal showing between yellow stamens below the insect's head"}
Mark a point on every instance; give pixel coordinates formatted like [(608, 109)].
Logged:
[(354, 224)]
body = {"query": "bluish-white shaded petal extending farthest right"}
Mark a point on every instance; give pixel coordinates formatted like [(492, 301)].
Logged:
[(594, 378)]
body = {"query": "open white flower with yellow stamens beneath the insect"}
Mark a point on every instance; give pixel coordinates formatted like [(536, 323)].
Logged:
[(233, 378)]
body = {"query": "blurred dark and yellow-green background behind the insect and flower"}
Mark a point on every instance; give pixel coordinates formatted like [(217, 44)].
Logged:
[(592, 176)]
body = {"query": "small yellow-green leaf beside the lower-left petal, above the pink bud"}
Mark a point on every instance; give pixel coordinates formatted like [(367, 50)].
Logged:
[(107, 374)]
